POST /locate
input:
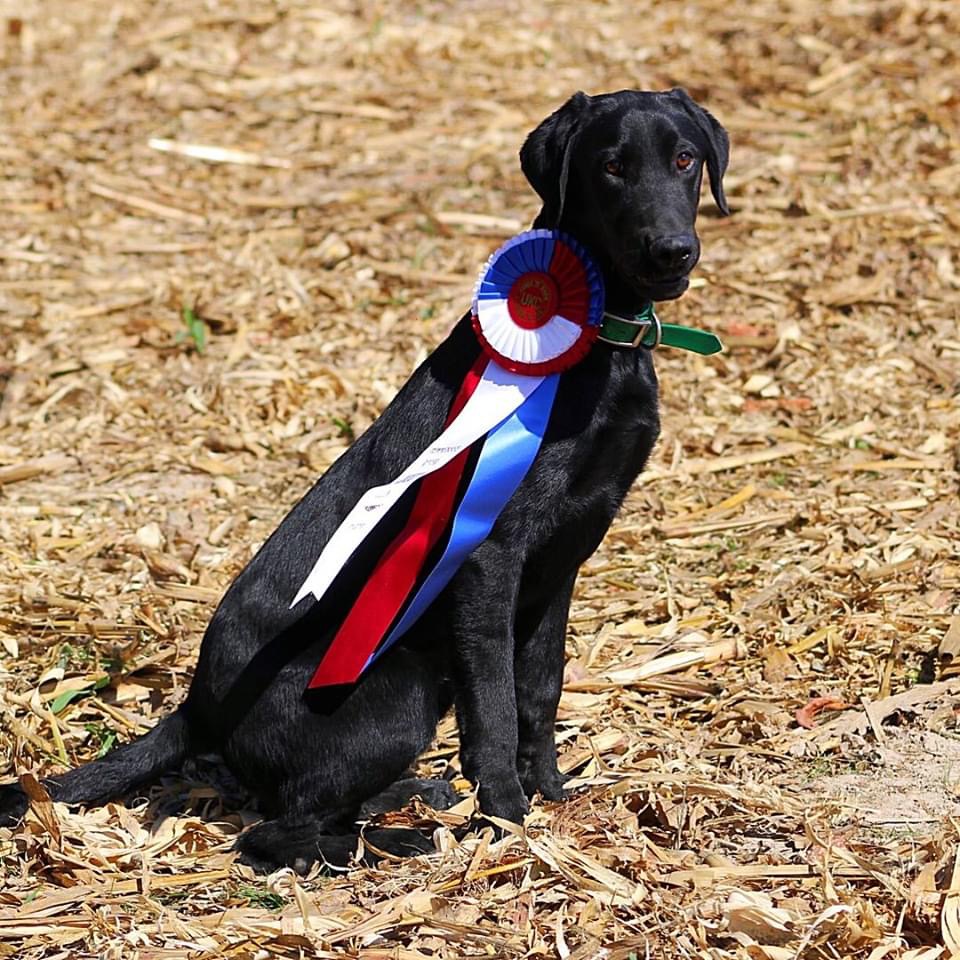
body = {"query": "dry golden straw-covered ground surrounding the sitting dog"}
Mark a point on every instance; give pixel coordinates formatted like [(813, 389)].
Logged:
[(229, 231)]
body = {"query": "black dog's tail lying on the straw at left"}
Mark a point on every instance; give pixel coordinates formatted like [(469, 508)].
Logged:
[(163, 748)]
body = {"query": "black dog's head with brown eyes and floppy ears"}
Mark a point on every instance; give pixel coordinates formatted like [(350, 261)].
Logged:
[(622, 173)]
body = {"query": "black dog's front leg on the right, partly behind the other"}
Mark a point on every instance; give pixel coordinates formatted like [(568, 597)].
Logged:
[(538, 669)]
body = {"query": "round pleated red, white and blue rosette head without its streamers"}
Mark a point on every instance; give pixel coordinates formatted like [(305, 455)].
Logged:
[(538, 306)]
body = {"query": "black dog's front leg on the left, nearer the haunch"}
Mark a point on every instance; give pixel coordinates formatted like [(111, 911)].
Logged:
[(484, 657)]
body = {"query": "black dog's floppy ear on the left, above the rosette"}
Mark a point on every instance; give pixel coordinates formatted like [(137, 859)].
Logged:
[(545, 155)]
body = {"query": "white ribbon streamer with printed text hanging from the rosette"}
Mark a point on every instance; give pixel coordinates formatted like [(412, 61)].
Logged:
[(498, 394)]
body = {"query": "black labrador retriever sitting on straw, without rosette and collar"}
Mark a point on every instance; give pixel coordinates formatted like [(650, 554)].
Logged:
[(621, 172)]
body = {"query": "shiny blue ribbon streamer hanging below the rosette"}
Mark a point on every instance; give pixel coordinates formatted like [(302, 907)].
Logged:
[(507, 454)]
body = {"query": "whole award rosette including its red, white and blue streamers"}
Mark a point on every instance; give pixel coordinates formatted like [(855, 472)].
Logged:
[(537, 310)]
